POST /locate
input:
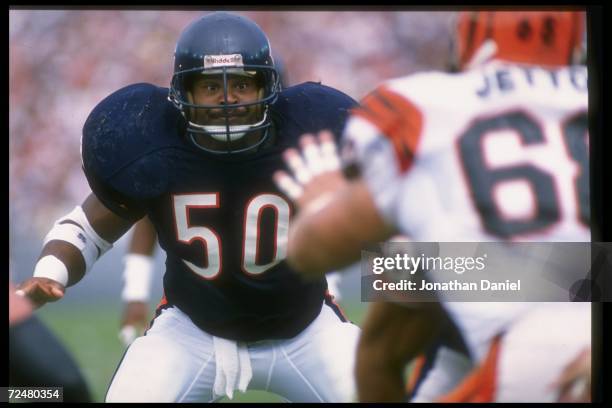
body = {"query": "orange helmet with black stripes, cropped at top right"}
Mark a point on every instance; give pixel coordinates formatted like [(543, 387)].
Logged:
[(551, 38)]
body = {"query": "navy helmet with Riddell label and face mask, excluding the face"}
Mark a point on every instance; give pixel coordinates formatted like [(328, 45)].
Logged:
[(224, 44)]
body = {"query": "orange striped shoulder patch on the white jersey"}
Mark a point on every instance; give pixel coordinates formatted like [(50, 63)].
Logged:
[(397, 118)]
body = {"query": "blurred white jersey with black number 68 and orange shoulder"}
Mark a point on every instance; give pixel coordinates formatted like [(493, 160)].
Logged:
[(497, 153)]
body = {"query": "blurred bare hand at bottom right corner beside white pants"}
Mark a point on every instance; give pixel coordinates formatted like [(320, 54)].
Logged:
[(574, 383)]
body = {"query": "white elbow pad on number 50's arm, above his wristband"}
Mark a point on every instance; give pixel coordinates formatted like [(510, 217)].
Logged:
[(75, 229)]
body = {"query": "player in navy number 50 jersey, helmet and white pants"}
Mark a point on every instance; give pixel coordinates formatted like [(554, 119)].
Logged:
[(197, 159)]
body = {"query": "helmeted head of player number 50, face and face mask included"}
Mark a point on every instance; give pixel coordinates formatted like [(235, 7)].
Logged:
[(224, 82)]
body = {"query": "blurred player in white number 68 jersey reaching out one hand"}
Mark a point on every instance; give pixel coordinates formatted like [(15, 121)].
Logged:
[(498, 151)]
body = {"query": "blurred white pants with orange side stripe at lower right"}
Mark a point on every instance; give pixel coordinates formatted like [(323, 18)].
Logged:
[(526, 359)]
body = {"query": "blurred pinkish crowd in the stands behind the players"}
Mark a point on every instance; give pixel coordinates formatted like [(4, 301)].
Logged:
[(63, 62)]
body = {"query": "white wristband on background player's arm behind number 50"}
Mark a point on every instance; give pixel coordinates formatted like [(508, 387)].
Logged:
[(137, 278)]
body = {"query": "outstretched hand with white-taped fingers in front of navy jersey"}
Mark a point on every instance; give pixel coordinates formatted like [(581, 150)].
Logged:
[(315, 170)]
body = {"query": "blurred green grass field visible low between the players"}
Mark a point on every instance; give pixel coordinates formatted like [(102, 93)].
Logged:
[(90, 334)]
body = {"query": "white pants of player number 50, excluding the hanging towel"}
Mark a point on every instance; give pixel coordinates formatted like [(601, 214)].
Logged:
[(175, 362)]
